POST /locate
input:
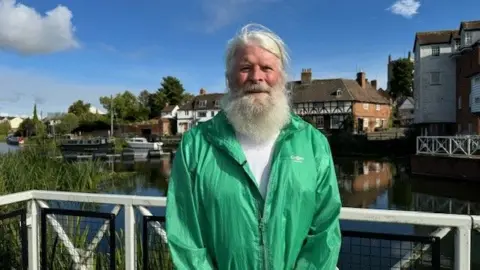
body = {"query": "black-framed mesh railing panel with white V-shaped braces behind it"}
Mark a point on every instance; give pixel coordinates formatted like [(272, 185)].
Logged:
[(76, 239)]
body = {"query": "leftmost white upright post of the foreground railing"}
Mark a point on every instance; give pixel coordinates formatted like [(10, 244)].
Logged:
[(33, 235)]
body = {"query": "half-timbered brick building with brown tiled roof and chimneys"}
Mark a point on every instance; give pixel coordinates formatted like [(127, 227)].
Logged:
[(333, 104)]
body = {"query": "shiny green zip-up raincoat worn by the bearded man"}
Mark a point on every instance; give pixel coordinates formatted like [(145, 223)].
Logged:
[(216, 217)]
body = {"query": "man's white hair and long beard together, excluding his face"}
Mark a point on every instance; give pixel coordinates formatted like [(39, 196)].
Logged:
[(258, 120)]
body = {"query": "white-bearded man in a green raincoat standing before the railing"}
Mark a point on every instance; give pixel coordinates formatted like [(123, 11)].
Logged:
[(254, 187)]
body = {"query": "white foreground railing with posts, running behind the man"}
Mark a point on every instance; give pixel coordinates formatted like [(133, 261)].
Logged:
[(461, 224)]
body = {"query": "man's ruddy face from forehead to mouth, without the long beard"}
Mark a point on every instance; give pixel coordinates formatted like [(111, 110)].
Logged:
[(256, 73)]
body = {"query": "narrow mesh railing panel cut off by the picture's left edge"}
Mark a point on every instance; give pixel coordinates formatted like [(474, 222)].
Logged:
[(13, 240)]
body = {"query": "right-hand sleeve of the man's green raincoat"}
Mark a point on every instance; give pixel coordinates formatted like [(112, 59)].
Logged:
[(322, 247)]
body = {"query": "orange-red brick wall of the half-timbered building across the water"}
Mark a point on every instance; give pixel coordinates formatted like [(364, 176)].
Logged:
[(372, 114)]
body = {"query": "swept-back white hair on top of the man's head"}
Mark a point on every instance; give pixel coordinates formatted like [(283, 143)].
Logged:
[(261, 36)]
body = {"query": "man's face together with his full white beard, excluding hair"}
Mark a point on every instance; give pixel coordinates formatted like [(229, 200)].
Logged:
[(257, 103)]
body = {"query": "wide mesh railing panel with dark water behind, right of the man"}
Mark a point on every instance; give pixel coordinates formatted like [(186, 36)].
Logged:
[(381, 251)]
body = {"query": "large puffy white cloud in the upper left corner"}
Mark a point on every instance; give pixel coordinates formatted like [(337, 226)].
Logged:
[(24, 30)]
